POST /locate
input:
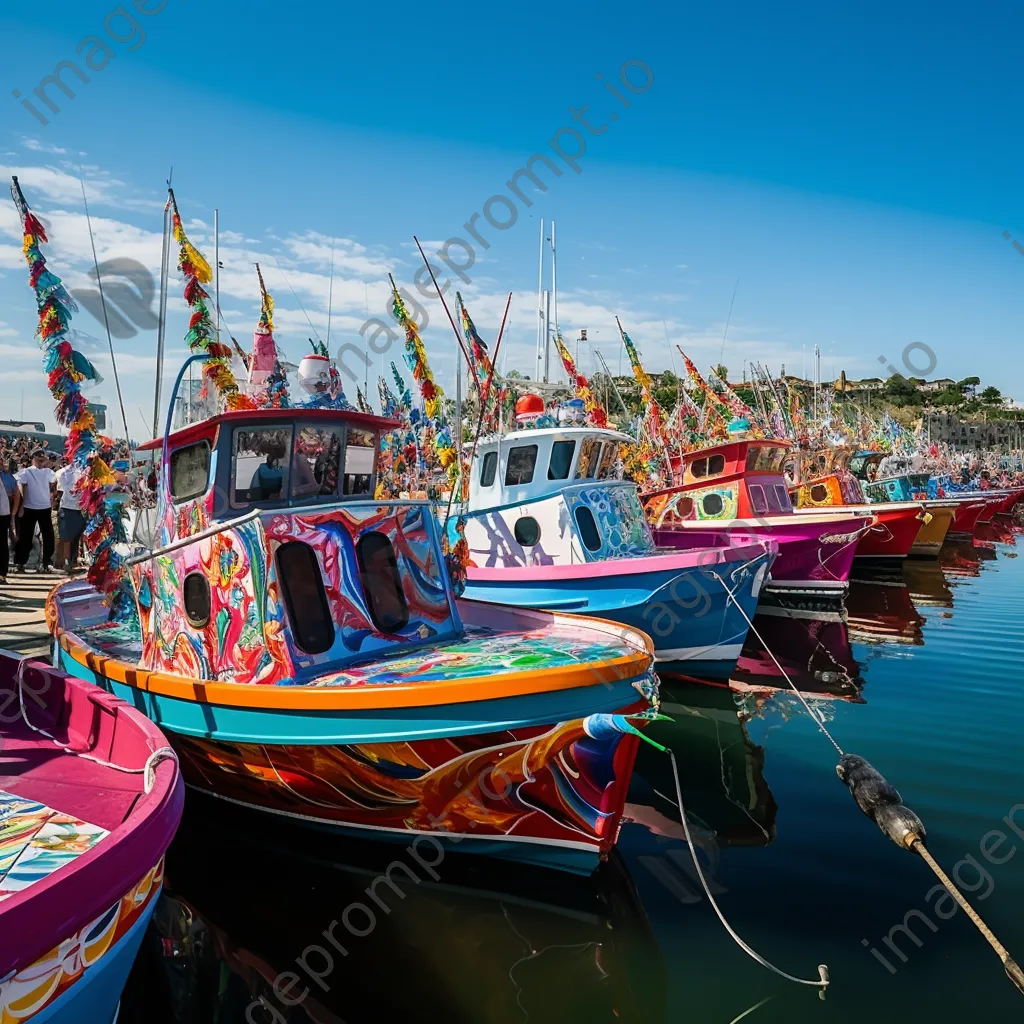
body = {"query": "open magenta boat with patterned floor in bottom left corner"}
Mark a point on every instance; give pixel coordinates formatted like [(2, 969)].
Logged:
[(90, 801)]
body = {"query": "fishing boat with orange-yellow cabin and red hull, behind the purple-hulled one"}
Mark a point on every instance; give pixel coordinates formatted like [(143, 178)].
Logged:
[(823, 481)]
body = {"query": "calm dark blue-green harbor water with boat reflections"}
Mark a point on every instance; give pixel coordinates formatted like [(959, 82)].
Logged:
[(923, 680)]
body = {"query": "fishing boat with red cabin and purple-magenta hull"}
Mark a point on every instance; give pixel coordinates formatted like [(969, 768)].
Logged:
[(737, 493)]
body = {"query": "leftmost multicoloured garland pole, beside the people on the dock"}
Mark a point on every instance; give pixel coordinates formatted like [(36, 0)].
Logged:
[(67, 370)]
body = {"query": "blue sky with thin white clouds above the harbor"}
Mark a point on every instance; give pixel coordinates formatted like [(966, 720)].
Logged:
[(852, 166)]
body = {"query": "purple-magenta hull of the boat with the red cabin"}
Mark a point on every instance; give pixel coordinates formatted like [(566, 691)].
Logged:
[(815, 556)]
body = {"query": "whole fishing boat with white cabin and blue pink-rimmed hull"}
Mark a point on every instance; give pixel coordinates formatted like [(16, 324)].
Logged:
[(549, 526)]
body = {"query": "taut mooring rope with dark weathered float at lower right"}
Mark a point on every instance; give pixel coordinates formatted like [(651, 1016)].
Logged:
[(883, 804)]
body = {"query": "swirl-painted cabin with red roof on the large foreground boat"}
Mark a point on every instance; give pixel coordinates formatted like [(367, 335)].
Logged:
[(273, 563)]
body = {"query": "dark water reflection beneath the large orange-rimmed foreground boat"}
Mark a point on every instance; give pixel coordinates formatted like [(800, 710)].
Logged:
[(466, 941)]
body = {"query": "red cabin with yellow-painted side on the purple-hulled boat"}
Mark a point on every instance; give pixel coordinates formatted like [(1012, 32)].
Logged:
[(734, 481)]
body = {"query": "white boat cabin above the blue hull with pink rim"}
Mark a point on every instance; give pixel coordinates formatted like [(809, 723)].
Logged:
[(552, 496)]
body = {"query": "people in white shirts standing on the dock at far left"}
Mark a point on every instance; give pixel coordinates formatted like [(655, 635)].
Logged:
[(38, 494)]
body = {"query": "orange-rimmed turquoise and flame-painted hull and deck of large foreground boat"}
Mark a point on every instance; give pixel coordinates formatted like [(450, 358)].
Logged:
[(499, 744)]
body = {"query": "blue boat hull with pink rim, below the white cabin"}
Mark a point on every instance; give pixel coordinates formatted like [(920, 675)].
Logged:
[(692, 617)]
